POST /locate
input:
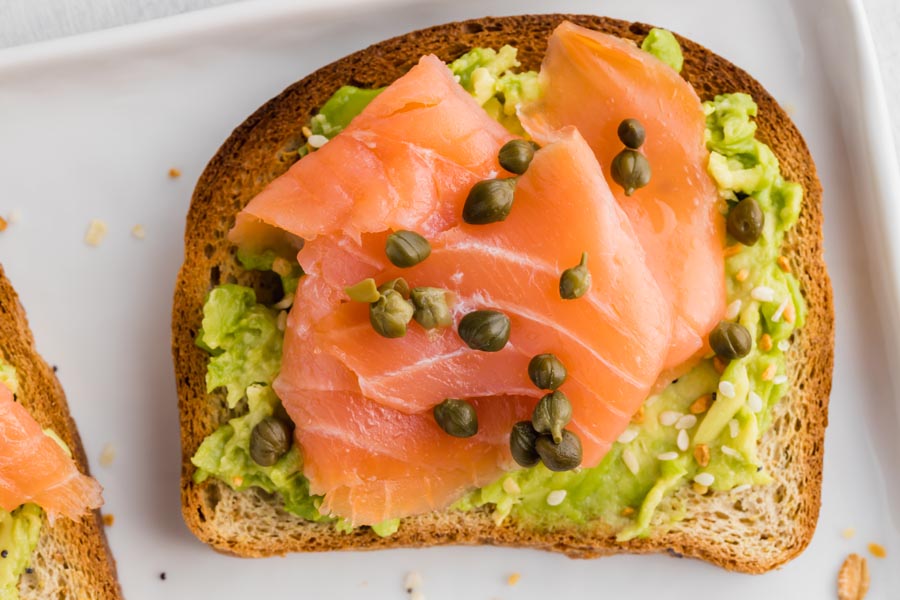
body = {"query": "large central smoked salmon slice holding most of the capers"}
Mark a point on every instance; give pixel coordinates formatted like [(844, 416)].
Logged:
[(362, 402)]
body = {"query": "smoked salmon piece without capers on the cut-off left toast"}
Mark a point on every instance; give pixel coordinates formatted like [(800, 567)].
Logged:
[(34, 468)]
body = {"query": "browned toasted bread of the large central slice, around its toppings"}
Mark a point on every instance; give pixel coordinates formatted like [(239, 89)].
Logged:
[(752, 532)]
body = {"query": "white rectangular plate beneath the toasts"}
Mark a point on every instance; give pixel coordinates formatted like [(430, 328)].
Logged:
[(90, 126)]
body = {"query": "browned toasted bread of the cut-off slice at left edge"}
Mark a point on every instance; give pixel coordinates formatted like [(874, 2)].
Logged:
[(72, 558)]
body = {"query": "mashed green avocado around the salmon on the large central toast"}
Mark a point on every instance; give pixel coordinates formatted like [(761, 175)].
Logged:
[(700, 432)]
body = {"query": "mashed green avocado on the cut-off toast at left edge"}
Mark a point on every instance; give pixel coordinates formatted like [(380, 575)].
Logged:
[(19, 529)]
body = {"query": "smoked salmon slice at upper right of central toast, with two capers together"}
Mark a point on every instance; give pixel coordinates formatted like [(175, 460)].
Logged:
[(593, 81)]
